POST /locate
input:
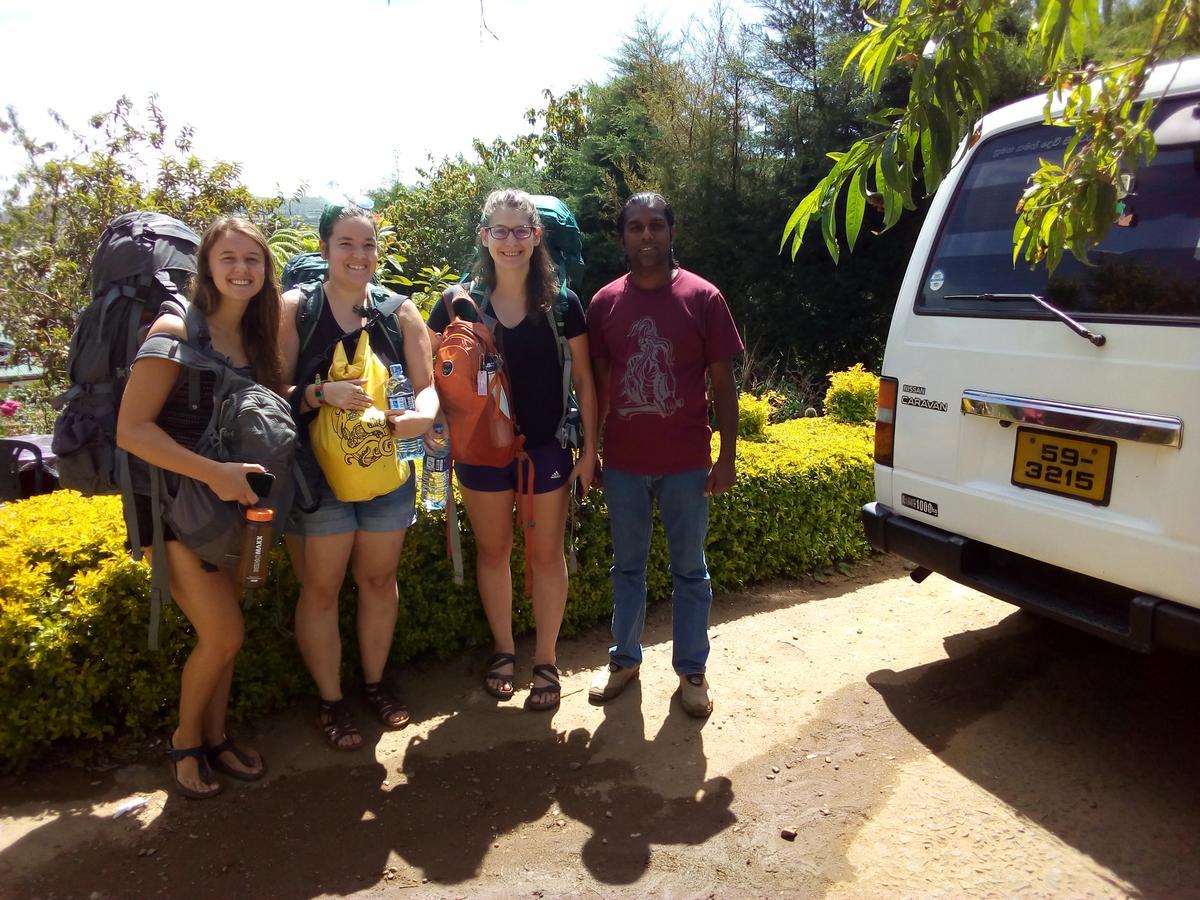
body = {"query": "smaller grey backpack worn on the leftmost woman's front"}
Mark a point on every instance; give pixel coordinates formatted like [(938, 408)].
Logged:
[(250, 423)]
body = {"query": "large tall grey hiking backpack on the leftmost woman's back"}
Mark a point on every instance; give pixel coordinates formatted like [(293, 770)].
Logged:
[(140, 269)]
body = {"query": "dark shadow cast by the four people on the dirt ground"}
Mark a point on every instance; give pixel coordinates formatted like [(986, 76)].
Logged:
[(454, 807)]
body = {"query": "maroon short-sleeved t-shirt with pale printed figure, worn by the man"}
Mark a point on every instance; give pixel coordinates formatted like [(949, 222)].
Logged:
[(659, 345)]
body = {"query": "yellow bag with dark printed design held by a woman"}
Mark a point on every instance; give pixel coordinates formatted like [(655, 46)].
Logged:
[(355, 447)]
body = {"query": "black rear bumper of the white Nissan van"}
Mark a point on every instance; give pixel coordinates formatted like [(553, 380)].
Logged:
[(1102, 609)]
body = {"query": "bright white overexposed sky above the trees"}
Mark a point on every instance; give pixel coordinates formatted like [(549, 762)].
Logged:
[(343, 97)]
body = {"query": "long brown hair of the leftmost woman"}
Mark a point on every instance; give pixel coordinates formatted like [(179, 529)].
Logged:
[(261, 322)]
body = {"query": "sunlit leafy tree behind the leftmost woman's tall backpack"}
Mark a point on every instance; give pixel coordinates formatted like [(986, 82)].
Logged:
[(62, 200)]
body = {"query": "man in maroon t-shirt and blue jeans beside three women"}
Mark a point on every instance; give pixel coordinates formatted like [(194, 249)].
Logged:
[(656, 334)]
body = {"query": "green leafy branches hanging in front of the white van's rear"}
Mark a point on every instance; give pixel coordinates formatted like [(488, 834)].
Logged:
[(947, 47)]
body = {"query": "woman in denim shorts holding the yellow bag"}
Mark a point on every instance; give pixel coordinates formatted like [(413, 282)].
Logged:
[(367, 536)]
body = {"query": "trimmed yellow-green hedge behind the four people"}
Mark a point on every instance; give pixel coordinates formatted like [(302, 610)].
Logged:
[(74, 609)]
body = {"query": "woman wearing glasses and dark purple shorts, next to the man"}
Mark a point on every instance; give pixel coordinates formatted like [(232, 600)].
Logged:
[(523, 289)]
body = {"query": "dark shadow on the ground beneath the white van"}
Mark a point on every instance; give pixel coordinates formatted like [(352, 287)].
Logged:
[(1094, 743)]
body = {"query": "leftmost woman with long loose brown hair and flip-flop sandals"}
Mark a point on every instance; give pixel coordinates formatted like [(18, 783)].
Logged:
[(237, 291)]
